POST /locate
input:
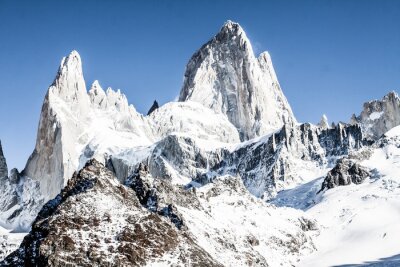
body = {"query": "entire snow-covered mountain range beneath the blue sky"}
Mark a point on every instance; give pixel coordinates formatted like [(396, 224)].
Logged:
[(223, 177)]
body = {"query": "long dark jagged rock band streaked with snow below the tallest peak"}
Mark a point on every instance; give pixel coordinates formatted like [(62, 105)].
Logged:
[(266, 165)]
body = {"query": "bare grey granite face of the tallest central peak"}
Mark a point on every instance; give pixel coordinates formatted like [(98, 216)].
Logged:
[(225, 76)]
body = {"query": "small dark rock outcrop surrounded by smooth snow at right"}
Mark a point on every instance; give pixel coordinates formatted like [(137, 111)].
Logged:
[(344, 173)]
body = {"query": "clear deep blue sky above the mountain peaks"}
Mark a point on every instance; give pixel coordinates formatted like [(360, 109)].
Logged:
[(330, 56)]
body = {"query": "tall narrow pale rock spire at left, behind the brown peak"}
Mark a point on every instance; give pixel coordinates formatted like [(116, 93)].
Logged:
[(54, 159)]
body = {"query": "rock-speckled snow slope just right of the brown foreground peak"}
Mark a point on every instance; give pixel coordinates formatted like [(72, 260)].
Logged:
[(232, 218)]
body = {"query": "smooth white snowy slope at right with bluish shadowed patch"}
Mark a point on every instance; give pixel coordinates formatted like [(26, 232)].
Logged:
[(359, 223)]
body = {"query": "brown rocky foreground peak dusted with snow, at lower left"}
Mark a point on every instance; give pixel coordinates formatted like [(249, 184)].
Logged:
[(96, 220)]
